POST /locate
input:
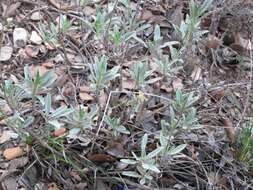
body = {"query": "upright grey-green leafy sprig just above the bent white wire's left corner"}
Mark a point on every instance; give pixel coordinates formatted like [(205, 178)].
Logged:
[(100, 76)]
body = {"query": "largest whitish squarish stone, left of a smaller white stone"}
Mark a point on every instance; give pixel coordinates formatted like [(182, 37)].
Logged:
[(20, 37)]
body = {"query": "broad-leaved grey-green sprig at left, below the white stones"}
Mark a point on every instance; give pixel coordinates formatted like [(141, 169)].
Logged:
[(39, 83)]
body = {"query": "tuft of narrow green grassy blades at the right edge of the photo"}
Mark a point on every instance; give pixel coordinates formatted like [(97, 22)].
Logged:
[(245, 145)]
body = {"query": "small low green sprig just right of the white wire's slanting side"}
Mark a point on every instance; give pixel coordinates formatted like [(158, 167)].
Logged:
[(115, 125)]
